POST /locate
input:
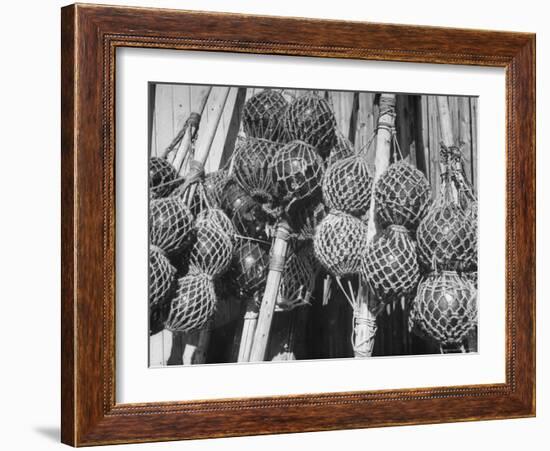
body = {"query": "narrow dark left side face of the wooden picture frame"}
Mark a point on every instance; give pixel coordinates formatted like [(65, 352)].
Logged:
[(68, 225)]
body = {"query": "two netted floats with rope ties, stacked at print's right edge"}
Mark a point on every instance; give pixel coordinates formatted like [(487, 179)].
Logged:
[(445, 307)]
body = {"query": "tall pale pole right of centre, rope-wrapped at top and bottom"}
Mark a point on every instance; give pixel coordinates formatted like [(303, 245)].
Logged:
[(365, 317)]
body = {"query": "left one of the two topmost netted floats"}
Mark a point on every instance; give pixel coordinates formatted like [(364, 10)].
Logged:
[(263, 115)]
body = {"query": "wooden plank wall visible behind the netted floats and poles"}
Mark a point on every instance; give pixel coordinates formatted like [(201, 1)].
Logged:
[(321, 331)]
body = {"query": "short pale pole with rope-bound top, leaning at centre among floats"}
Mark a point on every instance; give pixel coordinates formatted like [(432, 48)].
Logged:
[(273, 281)]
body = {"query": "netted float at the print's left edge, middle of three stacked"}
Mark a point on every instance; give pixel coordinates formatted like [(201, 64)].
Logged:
[(170, 222)]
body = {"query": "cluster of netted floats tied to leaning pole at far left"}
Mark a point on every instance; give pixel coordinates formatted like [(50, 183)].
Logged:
[(199, 251)]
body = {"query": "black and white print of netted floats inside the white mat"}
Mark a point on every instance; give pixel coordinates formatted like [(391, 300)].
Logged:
[(296, 224)]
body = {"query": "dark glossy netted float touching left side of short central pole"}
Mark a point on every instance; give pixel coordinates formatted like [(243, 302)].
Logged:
[(250, 267)]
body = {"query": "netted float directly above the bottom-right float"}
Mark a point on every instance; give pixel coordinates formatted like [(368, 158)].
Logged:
[(447, 238)]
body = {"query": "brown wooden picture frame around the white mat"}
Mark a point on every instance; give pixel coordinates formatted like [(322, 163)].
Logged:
[(90, 412)]
